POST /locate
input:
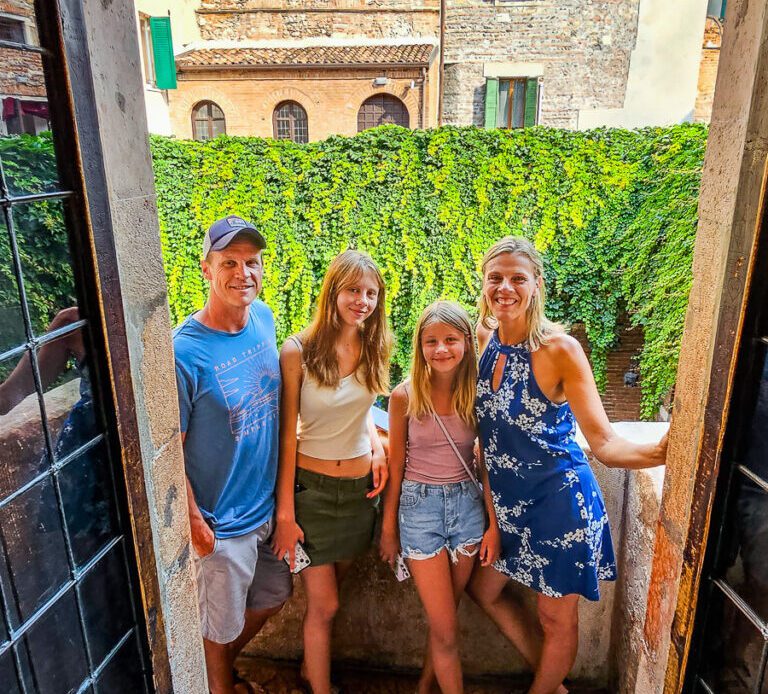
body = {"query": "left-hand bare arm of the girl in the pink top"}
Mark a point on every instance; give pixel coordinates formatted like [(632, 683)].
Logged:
[(389, 545)]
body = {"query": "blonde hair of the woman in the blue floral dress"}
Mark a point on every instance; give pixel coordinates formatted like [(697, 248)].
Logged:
[(540, 328)]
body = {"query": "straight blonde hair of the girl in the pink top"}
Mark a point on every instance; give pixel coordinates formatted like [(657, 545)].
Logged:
[(465, 379)]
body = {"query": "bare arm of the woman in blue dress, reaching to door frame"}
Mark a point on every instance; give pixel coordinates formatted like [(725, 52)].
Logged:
[(580, 391)]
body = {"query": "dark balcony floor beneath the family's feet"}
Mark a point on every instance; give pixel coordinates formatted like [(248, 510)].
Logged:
[(281, 677)]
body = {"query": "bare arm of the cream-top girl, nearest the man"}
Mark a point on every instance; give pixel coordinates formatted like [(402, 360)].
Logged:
[(287, 531)]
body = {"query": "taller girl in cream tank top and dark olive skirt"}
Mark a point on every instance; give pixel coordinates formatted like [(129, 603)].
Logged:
[(332, 464)]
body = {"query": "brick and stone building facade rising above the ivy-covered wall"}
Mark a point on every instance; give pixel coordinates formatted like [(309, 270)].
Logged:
[(570, 63)]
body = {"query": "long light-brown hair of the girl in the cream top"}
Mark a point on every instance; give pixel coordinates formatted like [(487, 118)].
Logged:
[(319, 339)]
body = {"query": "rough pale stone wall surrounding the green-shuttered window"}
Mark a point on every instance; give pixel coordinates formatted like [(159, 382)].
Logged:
[(584, 49)]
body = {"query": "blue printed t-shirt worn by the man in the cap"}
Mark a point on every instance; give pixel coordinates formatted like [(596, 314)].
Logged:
[(229, 391)]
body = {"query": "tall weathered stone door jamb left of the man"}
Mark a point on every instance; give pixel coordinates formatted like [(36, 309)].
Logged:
[(117, 86)]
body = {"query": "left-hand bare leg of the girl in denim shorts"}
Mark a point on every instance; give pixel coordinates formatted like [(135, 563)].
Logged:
[(434, 585)]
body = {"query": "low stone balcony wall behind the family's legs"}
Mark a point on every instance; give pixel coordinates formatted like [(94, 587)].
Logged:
[(381, 622)]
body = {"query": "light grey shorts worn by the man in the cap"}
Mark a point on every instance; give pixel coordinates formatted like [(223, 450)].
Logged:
[(241, 573)]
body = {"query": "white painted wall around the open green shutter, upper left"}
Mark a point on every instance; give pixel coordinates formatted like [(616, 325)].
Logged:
[(184, 30)]
